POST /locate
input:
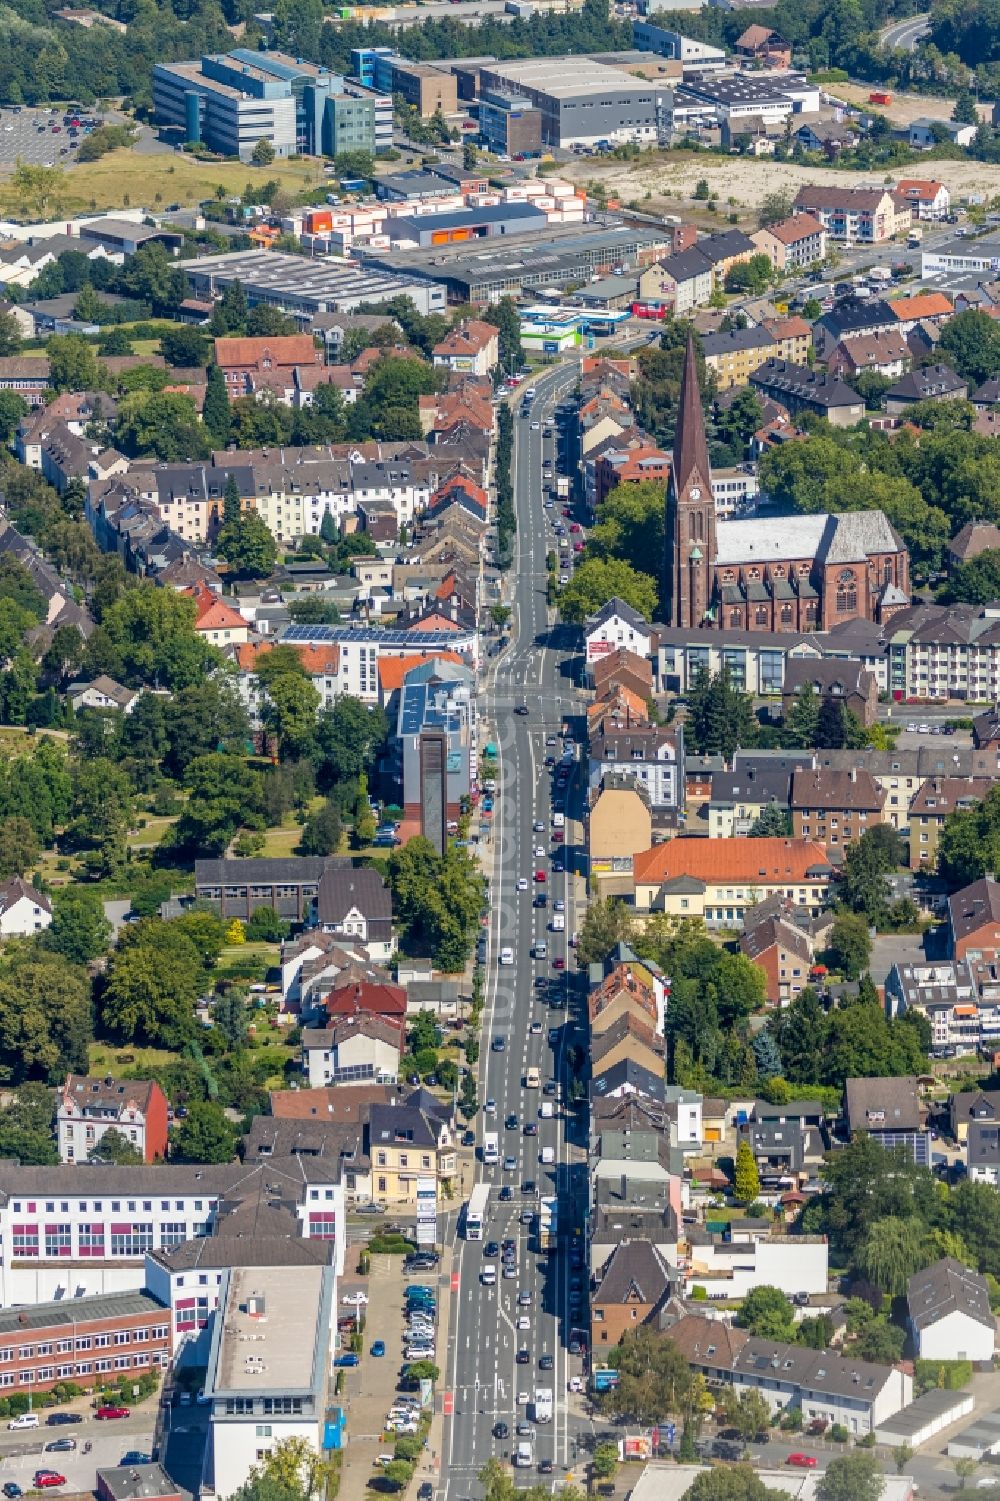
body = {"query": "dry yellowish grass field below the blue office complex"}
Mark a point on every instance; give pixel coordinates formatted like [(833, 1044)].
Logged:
[(128, 179)]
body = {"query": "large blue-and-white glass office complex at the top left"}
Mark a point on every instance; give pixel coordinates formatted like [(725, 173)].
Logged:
[(230, 101)]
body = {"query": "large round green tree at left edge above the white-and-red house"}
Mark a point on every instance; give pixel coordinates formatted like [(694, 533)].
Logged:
[(46, 1021)]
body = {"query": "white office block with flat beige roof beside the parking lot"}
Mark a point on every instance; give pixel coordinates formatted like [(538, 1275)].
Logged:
[(279, 1391)]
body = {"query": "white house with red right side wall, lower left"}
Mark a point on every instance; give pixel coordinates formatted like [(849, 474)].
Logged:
[(89, 1108)]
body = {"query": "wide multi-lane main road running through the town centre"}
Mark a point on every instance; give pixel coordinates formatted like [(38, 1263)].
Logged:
[(531, 1012)]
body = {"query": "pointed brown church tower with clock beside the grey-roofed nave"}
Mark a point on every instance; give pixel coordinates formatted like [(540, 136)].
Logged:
[(690, 532)]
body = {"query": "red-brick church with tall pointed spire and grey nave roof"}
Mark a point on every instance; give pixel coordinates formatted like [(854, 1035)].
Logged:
[(803, 573)]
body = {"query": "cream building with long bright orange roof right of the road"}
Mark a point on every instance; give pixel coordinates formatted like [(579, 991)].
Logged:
[(720, 879)]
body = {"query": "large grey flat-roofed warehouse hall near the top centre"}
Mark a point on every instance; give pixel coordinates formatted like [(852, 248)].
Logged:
[(580, 101)]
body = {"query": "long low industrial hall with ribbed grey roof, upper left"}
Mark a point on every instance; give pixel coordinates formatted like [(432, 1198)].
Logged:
[(306, 287)]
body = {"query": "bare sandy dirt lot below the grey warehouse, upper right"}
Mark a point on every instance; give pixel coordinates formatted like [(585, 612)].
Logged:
[(741, 184)]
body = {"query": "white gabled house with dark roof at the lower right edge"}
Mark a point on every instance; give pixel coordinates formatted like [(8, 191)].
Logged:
[(950, 1314)]
